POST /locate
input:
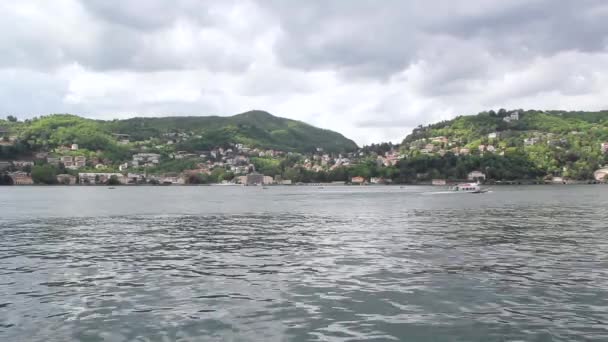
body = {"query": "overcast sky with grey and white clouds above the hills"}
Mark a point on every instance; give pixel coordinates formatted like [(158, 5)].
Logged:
[(371, 70)]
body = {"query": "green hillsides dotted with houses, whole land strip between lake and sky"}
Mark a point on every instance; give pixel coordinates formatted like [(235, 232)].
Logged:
[(504, 147)]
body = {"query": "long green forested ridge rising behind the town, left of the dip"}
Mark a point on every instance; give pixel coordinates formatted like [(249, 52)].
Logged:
[(254, 129)]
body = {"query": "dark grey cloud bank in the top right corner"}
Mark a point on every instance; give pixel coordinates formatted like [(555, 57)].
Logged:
[(541, 26)]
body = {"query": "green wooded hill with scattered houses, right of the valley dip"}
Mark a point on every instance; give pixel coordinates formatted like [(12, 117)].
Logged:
[(551, 143)]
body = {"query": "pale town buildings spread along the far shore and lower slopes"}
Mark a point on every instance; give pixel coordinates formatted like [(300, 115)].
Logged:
[(235, 165)]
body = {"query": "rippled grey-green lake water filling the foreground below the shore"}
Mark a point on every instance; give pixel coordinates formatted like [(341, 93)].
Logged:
[(303, 264)]
